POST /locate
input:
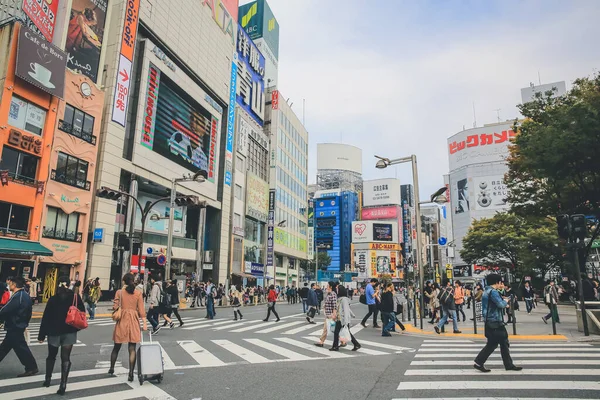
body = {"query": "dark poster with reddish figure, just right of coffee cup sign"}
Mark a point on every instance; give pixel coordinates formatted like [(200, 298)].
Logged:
[(85, 36)]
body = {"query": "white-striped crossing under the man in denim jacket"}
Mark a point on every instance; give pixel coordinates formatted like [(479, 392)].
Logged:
[(444, 369)]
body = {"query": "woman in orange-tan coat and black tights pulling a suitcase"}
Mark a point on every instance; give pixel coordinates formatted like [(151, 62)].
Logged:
[(128, 310)]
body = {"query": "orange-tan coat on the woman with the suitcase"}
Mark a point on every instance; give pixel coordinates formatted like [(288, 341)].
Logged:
[(127, 329)]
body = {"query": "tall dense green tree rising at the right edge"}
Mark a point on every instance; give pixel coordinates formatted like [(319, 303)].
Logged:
[(554, 164)]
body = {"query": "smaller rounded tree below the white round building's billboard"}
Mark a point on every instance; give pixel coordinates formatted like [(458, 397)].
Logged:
[(507, 240)]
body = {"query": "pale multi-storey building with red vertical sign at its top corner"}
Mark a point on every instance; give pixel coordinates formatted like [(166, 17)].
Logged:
[(287, 225)]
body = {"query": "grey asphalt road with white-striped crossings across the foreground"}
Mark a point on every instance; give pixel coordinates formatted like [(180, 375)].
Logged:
[(222, 359)]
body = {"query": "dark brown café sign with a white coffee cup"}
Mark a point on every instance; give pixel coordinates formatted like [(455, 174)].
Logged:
[(41, 63)]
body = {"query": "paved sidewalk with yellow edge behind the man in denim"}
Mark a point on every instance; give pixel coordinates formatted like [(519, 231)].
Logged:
[(528, 326)]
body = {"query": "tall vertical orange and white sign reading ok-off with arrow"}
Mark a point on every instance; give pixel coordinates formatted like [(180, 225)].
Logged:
[(121, 97)]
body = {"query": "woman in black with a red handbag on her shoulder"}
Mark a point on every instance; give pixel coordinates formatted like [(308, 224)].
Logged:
[(61, 334)]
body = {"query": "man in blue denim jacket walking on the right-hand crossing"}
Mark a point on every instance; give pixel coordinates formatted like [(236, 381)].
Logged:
[(495, 331)]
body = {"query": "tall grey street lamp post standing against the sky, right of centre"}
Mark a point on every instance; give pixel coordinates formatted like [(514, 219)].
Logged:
[(386, 162)]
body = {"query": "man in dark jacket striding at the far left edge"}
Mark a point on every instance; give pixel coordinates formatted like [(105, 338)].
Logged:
[(16, 315)]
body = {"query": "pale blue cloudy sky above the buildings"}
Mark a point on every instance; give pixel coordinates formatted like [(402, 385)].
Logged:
[(397, 77)]
